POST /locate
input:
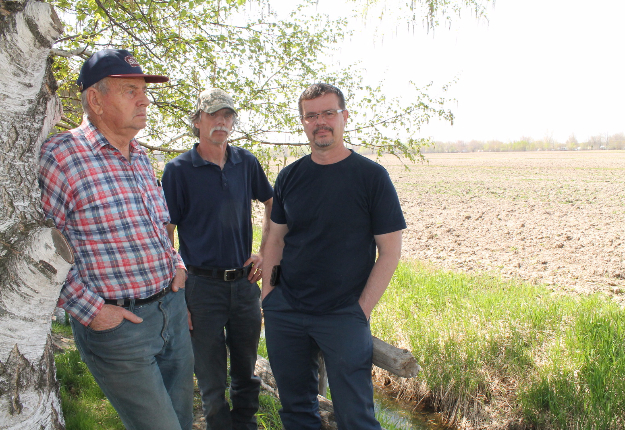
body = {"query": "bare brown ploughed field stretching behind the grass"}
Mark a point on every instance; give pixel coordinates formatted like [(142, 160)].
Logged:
[(556, 218)]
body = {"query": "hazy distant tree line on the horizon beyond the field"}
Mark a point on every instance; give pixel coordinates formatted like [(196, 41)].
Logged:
[(600, 141)]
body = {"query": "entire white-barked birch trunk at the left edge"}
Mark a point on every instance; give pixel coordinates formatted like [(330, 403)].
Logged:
[(34, 258)]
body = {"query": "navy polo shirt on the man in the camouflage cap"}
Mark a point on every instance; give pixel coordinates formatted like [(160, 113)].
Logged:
[(212, 207)]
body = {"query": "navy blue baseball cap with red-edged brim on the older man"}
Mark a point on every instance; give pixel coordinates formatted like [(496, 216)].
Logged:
[(116, 63)]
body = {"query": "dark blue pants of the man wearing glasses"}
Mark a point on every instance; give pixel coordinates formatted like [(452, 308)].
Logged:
[(293, 343)]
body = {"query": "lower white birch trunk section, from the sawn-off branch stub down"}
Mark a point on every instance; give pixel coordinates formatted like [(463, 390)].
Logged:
[(30, 399)]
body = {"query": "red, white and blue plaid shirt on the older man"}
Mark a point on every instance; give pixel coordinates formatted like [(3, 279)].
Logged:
[(114, 215)]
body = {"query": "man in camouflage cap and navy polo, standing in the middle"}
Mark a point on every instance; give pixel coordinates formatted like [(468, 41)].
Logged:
[(209, 191)]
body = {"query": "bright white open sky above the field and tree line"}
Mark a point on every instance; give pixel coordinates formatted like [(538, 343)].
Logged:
[(537, 68)]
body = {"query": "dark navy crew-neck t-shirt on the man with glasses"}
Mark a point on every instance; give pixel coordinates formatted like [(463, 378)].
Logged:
[(332, 213)]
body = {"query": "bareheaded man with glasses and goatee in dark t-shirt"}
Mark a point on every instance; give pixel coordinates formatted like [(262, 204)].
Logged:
[(332, 209)]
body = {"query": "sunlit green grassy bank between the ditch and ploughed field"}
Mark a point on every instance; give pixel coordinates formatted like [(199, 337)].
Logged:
[(495, 352)]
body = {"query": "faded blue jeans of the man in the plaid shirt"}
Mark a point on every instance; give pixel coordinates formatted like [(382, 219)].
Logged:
[(145, 369)]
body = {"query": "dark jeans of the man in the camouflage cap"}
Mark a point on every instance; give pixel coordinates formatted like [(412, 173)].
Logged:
[(225, 315)]
